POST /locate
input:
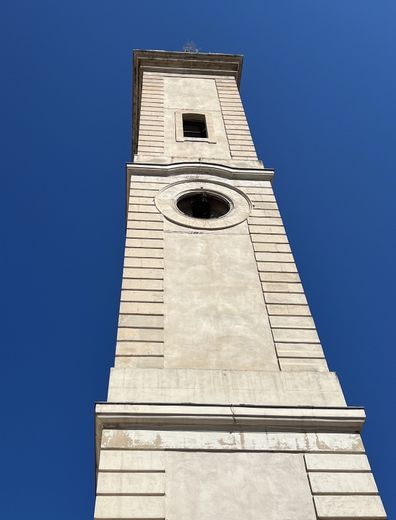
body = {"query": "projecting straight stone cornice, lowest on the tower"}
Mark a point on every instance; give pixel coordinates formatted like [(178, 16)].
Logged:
[(226, 418)]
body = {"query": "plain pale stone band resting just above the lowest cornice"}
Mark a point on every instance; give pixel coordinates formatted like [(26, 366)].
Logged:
[(225, 387)]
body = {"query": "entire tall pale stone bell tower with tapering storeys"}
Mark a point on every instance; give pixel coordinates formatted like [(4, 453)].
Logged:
[(221, 405)]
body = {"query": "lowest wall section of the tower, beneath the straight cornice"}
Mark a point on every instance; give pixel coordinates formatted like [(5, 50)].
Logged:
[(219, 474)]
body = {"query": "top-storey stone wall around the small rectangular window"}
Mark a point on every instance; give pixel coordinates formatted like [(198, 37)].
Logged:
[(165, 96)]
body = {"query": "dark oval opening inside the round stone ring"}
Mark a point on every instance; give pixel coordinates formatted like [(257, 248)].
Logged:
[(203, 205)]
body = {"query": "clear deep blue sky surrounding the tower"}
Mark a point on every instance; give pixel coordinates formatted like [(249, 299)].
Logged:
[(319, 91)]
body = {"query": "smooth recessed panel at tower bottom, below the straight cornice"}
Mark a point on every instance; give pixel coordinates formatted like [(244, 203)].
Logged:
[(248, 486)]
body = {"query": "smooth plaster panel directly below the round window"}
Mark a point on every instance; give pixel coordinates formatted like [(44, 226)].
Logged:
[(211, 281)]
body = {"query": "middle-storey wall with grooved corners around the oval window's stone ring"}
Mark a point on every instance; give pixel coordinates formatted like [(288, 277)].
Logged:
[(258, 251)]
